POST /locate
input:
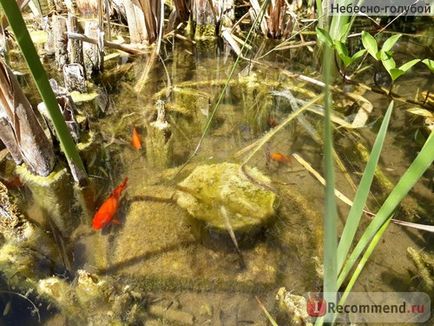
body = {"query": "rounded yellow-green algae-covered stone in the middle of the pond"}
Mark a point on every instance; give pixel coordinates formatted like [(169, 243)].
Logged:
[(244, 196)]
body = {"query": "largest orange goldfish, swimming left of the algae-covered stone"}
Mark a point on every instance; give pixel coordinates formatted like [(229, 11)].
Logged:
[(107, 211)]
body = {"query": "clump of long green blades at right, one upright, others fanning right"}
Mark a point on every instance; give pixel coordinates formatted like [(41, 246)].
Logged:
[(337, 262)]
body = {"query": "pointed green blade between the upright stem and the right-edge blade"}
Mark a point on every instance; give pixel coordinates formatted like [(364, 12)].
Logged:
[(362, 193)]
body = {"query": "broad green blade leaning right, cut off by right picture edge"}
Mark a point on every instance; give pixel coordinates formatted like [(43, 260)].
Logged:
[(422, 162)]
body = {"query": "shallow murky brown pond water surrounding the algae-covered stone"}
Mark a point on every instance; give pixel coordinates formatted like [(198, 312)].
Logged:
[(180, 263)]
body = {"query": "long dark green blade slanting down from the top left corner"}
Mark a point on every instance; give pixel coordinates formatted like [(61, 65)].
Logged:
[(25, 43)]
